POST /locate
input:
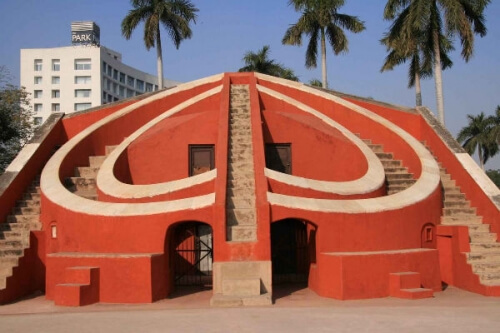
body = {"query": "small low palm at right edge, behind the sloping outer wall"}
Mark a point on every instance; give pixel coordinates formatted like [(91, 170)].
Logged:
[(477, 134)]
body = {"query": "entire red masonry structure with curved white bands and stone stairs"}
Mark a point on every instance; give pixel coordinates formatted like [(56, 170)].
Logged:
[(242, 182)]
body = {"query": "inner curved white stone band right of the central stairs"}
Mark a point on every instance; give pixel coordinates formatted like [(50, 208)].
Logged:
[(371, 181)]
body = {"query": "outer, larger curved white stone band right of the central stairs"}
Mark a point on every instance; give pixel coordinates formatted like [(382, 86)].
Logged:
[(424, 186)]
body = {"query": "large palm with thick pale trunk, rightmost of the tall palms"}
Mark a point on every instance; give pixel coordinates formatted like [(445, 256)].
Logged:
[(460, 17)]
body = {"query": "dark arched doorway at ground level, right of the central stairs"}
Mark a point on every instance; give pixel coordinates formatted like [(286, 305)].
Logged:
[(291, 251)]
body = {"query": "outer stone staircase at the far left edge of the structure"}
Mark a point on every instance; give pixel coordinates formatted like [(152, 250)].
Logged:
[(15, 232)]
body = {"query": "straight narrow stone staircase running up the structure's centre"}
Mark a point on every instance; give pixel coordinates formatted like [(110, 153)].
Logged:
[(240, 197)]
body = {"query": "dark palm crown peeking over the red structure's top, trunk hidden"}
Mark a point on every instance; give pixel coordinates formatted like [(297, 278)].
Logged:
[(259, 62)]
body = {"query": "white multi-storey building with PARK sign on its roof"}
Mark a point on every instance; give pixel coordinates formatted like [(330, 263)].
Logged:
[(75, 78)]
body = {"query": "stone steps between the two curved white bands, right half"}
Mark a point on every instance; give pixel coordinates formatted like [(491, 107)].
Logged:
[(396, 175)]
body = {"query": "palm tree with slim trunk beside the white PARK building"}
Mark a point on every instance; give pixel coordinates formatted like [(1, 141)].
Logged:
[(173, 15)]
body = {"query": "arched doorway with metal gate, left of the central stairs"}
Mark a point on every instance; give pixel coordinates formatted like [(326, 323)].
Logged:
[(192, 254)]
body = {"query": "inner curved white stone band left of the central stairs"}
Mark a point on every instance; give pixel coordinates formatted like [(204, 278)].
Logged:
[(110, 185)]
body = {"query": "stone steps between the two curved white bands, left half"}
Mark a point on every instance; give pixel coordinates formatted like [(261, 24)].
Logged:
[(84, 182)]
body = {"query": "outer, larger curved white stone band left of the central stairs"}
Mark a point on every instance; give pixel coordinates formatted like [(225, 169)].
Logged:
[(55, 191)]
